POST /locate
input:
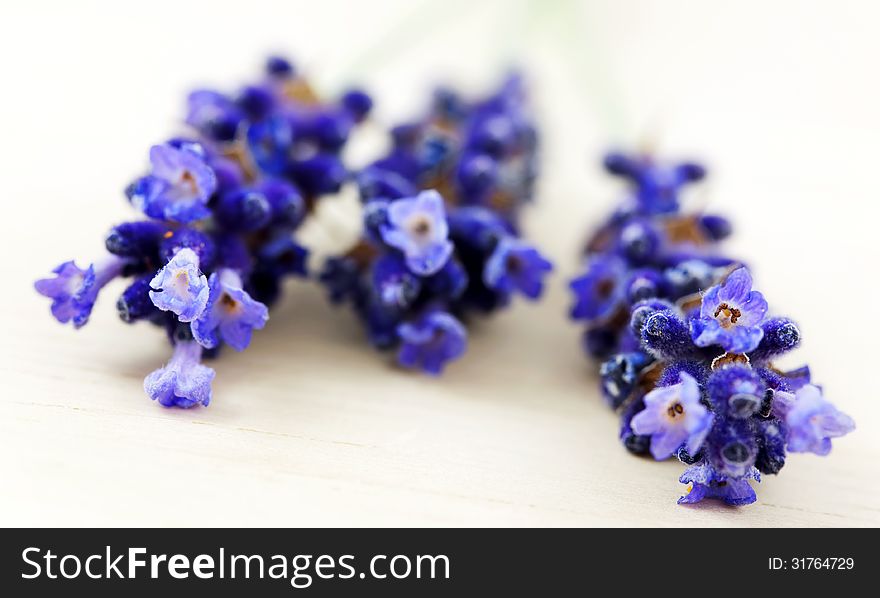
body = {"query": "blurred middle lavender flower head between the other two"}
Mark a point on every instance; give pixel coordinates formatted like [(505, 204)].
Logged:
[(441, 233)]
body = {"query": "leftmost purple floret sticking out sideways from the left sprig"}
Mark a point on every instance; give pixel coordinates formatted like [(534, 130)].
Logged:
[(74, 290)]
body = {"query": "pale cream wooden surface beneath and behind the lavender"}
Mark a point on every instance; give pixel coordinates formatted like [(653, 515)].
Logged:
[(308, 426)]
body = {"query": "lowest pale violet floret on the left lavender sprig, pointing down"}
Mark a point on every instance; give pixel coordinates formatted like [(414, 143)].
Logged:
[(184, 381)]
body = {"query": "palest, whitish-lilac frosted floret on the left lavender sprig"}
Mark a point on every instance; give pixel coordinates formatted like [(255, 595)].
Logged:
[(180, 287)]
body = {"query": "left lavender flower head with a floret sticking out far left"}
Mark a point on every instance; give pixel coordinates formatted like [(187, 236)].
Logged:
[(223, 204)]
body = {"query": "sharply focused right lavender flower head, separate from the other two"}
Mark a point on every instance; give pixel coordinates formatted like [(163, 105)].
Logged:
[(686, 345)]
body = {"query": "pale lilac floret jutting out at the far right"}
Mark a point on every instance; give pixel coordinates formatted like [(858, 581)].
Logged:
[(811, 420)]
